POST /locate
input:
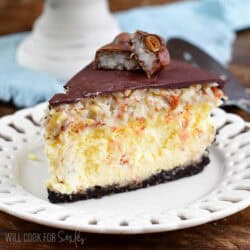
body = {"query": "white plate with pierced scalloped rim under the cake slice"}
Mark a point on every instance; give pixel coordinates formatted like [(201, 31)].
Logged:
[(223, 188)]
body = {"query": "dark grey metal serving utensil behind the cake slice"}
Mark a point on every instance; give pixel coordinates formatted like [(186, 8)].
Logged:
[(237, 94)]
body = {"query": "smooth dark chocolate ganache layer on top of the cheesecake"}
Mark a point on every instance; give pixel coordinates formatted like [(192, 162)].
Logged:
[(90, 82)]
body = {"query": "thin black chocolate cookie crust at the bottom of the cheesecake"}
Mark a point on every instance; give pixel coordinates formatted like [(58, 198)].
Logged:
[(161, 177)]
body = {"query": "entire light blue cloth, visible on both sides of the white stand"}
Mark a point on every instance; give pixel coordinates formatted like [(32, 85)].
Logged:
[(210, 24)]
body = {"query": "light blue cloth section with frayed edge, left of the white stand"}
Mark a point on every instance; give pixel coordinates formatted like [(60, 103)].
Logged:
[(22, 86)]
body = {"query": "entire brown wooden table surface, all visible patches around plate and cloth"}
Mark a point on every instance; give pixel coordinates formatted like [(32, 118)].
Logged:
[(230, 233)]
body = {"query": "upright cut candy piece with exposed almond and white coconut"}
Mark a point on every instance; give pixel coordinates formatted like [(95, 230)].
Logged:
[(150, 52)]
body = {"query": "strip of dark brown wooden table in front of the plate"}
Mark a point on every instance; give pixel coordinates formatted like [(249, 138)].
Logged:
[(231, 233)]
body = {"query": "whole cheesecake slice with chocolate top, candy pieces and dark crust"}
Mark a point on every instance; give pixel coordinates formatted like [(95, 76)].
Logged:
[(122, 127)]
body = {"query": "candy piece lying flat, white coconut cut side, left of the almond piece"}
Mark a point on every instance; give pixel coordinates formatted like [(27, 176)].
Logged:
[(116, 55)]
